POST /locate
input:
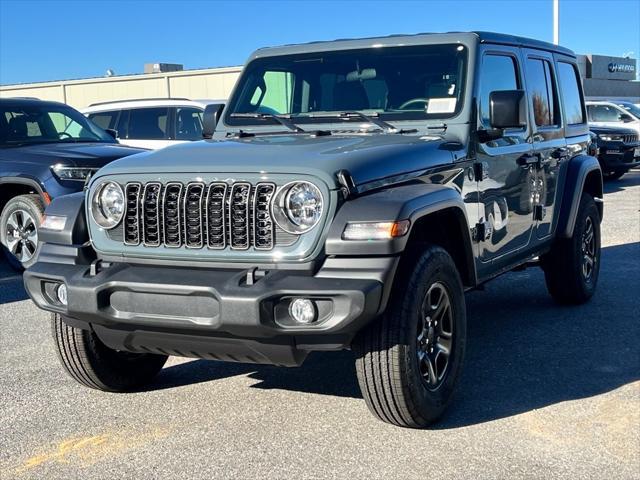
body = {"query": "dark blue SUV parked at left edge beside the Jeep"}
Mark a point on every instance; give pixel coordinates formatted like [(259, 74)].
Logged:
[(47, 149)]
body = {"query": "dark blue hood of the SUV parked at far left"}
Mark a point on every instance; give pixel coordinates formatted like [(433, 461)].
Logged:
[(90, 155)]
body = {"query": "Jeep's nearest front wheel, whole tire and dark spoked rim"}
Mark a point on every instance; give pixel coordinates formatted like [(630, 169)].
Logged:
[(408, 361)]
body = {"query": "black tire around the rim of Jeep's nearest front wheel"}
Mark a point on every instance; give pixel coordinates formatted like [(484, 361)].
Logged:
[(387, 364)]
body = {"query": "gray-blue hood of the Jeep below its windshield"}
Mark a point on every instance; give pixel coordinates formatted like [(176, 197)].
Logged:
[(368, 157)]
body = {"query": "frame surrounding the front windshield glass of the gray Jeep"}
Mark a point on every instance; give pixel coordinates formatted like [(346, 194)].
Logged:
[(337, 116)]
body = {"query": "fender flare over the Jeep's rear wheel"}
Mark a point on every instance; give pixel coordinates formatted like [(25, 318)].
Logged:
[(583, 174)]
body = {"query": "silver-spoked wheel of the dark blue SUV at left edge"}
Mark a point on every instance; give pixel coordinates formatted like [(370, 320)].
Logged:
[(19, 224)]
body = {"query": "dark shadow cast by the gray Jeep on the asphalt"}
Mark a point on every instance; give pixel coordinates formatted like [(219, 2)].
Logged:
[(524, 352)]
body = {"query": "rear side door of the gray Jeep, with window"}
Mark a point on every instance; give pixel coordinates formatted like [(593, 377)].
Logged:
[(549, 143)]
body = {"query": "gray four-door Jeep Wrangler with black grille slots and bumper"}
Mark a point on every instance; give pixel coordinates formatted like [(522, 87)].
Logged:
[(351, 193)]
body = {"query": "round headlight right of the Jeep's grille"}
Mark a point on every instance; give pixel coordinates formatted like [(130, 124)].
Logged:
[(298, 207)]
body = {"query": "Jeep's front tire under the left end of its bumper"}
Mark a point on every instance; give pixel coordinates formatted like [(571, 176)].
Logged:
[(92, 364)]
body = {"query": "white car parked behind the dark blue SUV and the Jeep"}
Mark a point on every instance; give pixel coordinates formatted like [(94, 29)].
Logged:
[(153, 123)]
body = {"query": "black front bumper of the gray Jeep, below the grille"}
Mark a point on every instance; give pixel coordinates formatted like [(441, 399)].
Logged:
[(229, 314)]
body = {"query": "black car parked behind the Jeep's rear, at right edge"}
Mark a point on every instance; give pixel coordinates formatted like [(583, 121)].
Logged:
[(618, 150)]
